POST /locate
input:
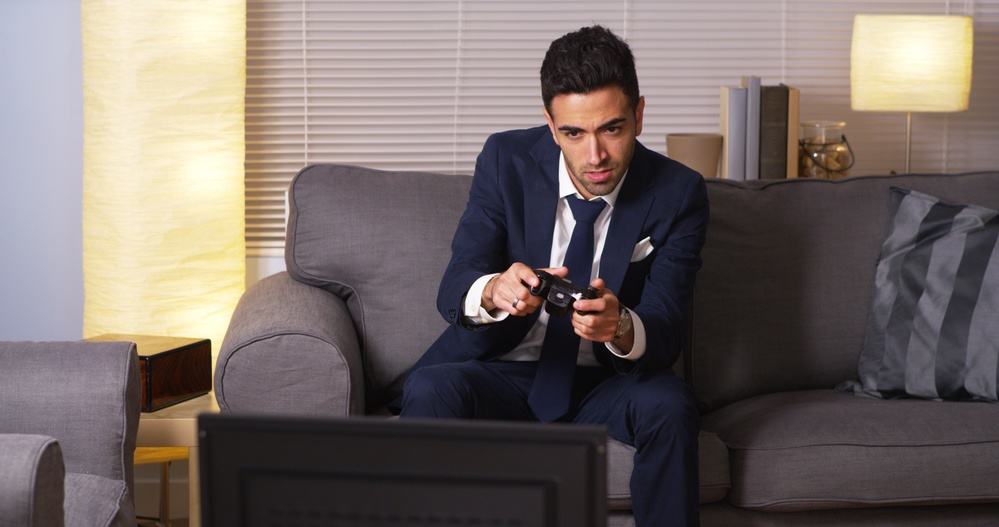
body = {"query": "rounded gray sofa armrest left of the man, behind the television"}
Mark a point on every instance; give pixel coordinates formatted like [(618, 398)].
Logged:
[(291, 348)]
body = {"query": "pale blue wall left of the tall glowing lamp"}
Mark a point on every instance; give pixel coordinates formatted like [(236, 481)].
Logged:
[(41, 145)]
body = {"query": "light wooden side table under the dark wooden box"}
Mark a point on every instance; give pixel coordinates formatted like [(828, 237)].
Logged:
[(177, 426)]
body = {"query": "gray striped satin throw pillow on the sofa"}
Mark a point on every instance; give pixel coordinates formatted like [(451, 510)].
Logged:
[(933, 329)]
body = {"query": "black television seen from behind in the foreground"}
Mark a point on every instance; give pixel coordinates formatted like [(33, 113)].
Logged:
[(367, 472)]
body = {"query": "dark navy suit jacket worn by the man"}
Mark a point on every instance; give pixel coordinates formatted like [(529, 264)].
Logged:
[(510, 217)]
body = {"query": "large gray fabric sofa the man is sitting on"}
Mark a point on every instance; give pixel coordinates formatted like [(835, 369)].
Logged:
[(778, 320)]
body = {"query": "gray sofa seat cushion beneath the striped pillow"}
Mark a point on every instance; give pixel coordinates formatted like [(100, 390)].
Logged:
[(822, 449)]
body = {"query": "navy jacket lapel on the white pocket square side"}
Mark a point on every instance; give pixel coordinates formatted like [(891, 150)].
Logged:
[(630, 211)]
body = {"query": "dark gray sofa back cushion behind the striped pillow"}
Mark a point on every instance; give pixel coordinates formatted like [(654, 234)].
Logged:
[(782, 300)]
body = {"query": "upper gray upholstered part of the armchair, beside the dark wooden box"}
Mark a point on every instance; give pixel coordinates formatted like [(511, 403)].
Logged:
[(83, 394)]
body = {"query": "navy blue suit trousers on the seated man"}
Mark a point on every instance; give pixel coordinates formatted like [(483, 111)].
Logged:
[(655, 412)]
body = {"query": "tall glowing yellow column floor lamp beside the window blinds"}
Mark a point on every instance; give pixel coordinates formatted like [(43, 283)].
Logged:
[(163, 223)]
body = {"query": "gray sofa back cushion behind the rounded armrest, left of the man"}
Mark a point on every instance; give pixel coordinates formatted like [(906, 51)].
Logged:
[(380, 241)]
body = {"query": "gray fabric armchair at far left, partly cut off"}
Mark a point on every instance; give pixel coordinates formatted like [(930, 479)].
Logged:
[(69, 413)]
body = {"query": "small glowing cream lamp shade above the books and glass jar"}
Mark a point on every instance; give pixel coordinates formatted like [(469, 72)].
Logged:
[(911, 63)]
